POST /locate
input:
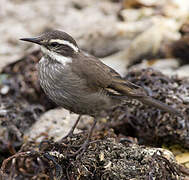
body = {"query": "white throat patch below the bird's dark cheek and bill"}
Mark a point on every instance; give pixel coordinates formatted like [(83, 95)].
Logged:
[(55, 56)]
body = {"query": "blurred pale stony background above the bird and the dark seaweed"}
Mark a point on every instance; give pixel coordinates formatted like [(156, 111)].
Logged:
[(129, 33)]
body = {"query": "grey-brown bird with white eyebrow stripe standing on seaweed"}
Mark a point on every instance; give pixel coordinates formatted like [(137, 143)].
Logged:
[(83, 84)]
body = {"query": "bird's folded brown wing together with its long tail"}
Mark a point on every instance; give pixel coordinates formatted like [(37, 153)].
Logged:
[(99, 75)]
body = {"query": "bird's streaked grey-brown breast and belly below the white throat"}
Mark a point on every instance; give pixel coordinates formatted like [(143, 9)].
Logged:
[(71, 92)]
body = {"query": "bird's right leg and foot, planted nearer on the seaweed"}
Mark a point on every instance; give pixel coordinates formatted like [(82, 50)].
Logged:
[(85, 145)]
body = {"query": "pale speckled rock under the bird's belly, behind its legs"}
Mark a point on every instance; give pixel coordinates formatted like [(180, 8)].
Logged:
[(54, 124)]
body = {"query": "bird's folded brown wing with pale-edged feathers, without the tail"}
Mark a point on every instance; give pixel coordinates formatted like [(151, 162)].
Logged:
[(100, 75)]
